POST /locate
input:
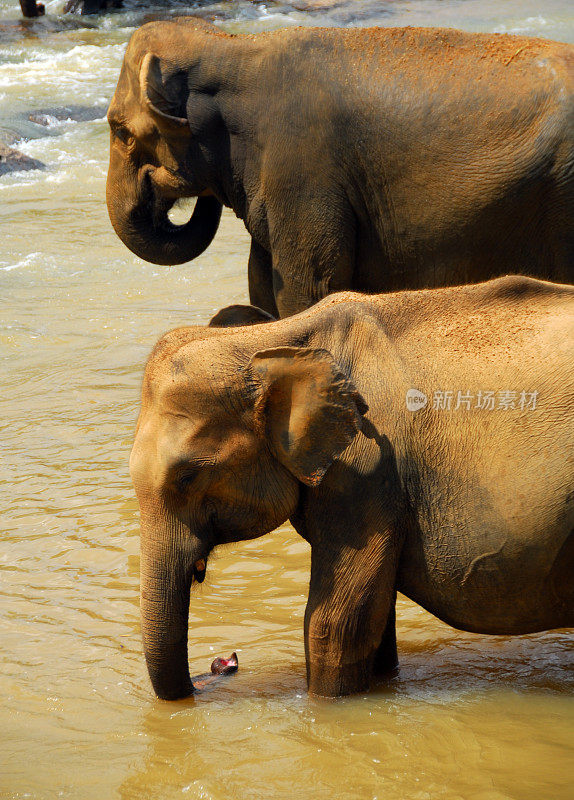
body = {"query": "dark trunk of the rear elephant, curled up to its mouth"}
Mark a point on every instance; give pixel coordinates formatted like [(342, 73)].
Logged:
[(143, 224)]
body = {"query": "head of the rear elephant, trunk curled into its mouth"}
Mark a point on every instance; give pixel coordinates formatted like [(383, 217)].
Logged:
[(155, 156)]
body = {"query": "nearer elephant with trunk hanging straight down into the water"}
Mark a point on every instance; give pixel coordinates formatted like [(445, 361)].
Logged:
[(420, 442)]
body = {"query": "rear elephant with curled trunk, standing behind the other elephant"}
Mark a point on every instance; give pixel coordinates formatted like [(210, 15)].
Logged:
[(373, 159)]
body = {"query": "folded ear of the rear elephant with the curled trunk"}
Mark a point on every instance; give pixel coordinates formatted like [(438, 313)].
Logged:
[(164, 90)]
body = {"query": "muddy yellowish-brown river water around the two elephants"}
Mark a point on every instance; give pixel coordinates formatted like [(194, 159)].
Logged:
[(469, 717)]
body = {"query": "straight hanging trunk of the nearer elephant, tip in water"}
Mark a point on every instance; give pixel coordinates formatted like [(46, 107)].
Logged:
[(165, 590)]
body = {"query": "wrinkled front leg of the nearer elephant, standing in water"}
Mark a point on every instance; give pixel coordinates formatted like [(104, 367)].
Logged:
[(351, 595)]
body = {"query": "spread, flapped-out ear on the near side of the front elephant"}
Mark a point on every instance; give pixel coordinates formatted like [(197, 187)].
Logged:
[(306, 407)]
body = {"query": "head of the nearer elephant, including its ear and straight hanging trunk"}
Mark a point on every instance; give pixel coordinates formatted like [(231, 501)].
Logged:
[(226, 439)]
